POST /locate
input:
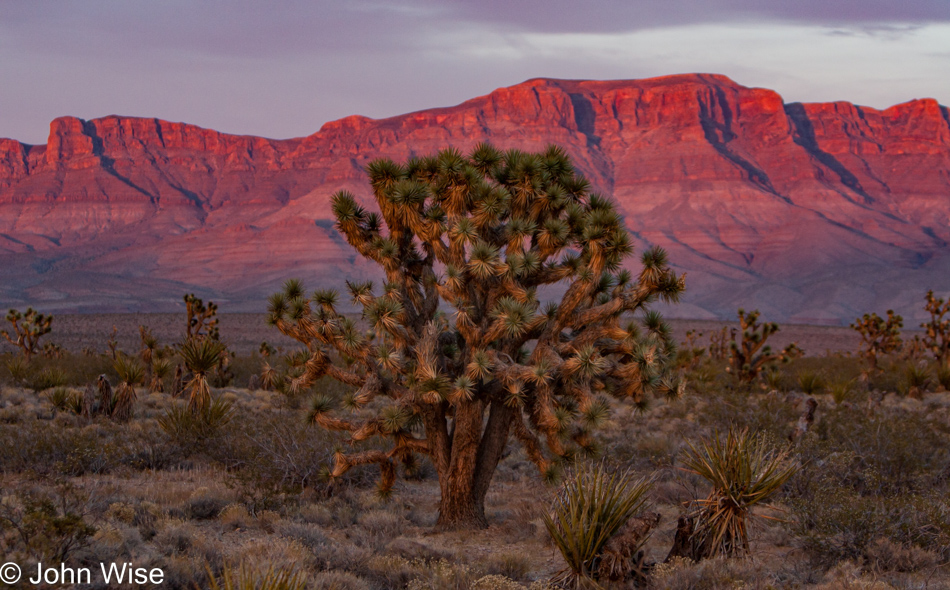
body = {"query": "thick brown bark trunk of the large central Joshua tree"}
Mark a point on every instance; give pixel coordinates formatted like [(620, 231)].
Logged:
[(470, 454)]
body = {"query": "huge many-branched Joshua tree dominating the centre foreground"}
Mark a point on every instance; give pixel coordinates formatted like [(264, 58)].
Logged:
[(482, 234)]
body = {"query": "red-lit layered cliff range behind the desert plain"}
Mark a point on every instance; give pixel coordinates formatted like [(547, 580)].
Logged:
[(810, 212)]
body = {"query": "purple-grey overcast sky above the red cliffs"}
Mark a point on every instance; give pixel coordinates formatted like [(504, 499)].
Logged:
[(282, 68)]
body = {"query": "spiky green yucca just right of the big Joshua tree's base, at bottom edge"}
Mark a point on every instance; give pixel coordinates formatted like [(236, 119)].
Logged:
[(593, 504)]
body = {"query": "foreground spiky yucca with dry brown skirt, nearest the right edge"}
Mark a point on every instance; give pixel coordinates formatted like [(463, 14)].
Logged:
[(745, 471)]
